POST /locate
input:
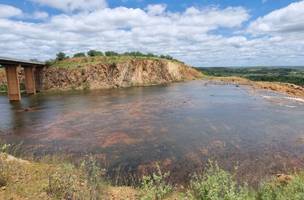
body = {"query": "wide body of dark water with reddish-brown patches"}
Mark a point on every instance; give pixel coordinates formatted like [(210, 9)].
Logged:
[(179, 126)]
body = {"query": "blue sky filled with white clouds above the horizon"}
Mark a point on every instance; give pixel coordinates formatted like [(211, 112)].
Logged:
[(202, 33)]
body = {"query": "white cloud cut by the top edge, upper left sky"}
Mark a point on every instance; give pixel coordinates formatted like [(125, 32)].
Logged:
[(74, 5)]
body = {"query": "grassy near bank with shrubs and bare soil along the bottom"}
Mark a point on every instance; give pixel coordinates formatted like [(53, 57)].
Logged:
[(57, 179)]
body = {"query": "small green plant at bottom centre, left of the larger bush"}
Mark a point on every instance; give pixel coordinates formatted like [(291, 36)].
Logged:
[(155, 187)]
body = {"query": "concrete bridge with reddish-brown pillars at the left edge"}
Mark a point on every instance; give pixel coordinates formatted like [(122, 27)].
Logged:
[(32, 73)]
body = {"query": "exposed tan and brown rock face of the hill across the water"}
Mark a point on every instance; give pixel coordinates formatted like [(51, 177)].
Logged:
[(126, 74)]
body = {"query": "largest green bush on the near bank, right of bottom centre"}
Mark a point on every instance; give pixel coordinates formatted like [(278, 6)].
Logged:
[(217, 184)]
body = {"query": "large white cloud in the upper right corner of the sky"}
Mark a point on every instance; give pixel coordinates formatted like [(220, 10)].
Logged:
[(286, 20)]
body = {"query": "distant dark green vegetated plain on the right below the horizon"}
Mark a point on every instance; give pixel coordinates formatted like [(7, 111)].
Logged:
[(285, 75)]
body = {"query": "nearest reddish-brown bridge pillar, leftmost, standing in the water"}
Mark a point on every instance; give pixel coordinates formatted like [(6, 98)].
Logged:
[(13, 83)]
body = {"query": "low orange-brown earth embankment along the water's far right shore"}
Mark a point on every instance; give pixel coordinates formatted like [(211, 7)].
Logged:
[(287, 88)]
